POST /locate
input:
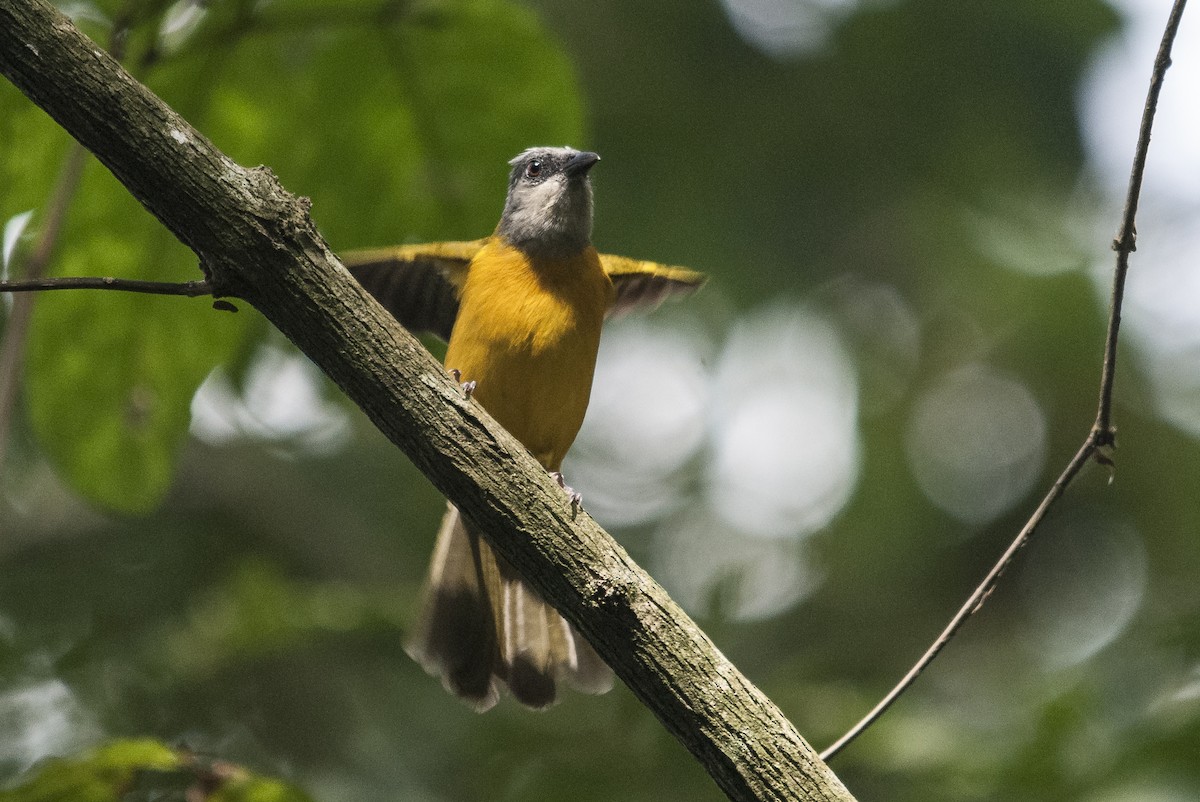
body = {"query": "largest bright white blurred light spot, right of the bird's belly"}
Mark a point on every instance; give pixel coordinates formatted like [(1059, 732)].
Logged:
[(787, 451)]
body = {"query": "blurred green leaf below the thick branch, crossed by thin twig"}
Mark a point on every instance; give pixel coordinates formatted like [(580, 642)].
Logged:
[(111, 376)]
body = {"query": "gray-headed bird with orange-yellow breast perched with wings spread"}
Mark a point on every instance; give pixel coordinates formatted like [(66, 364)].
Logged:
[(523, 312)]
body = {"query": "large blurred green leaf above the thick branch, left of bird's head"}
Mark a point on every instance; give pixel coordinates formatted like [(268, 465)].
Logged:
[(397, 129)]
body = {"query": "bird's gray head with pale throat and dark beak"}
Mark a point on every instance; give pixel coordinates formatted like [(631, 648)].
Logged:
[(549, 210)]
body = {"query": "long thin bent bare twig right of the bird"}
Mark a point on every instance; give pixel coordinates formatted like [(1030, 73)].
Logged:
[(1102, 434)]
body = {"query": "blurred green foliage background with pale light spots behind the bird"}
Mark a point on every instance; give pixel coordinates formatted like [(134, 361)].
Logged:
[(905, 208)]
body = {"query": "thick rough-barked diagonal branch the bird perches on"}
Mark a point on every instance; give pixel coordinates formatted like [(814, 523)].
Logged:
[(256, 242)]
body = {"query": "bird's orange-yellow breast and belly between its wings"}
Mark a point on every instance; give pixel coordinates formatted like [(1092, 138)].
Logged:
[(527, 334)]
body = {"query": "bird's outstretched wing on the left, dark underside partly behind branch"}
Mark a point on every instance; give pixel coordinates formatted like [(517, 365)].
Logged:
[(418, 284)]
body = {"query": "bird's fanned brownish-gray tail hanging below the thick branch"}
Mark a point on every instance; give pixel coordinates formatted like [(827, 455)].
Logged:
[(482, 626)]
